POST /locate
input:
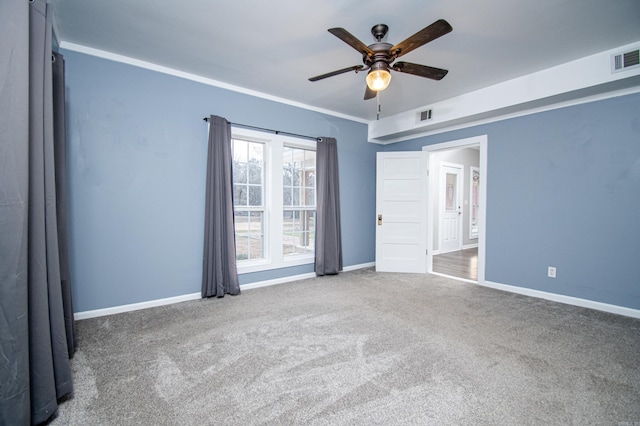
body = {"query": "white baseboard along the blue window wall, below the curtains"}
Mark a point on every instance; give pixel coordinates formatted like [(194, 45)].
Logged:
[(194, 296)]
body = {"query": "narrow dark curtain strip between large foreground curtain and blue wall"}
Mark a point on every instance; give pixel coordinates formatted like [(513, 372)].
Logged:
[(60, 152)]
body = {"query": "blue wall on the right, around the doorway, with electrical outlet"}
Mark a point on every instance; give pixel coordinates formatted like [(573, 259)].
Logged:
[(563, 189)]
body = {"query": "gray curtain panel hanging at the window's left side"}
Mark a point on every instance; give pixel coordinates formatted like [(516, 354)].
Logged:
[(219, 272)]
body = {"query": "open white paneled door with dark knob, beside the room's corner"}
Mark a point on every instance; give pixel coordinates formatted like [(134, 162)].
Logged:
[(401, 212)]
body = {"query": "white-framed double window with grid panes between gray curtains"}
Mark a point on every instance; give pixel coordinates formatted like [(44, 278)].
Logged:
[(275, 200)]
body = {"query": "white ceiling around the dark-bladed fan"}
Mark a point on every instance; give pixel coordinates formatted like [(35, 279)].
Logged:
[(274, 46)]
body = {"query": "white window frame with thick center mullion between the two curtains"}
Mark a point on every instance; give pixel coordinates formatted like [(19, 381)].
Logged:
[(273, 201)]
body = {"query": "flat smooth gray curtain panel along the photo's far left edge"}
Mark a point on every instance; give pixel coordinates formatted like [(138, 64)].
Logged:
[(14, 193)]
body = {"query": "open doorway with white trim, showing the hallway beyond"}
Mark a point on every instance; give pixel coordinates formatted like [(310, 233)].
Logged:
[(462, 257)]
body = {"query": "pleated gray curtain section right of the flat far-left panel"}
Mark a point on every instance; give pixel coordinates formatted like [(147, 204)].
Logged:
[(50, 369)]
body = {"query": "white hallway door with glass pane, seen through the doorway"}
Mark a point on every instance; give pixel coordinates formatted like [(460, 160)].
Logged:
[(450, 207)]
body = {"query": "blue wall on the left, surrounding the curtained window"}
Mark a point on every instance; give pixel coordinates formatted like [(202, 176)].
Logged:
[(136, 162)]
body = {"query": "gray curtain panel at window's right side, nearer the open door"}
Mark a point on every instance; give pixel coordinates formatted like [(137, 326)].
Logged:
[(328, 234)]
